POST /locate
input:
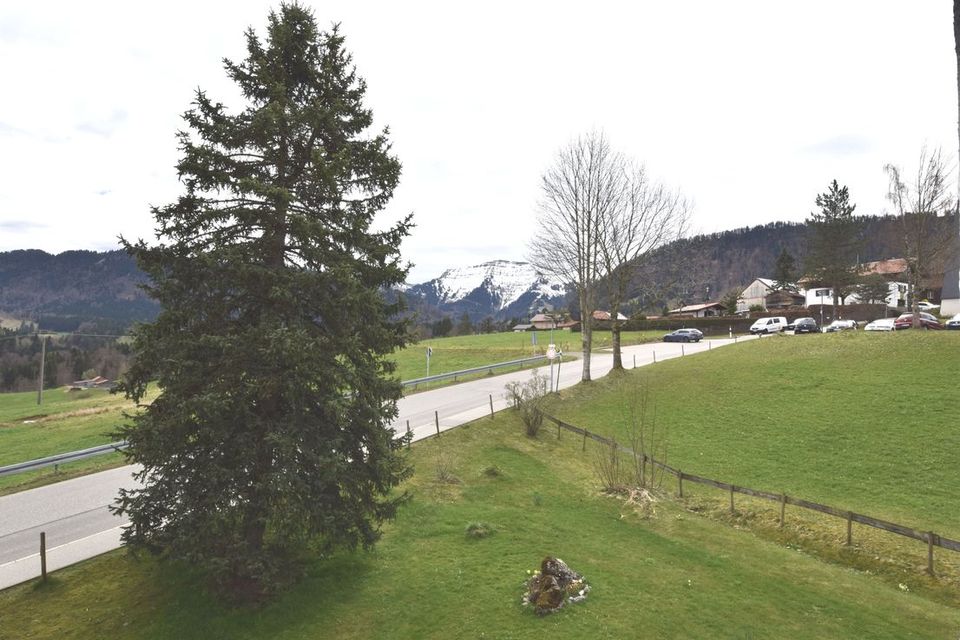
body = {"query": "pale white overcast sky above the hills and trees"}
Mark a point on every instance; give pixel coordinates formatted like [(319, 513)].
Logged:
[(751, 108)]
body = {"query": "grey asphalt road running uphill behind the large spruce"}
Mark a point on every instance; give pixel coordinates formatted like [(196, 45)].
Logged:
[(78, 524)]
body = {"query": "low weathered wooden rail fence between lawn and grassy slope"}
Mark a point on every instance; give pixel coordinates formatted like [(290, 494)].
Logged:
[(929, 537)]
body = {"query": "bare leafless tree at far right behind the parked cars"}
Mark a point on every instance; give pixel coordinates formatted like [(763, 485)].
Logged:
[(920, 204)]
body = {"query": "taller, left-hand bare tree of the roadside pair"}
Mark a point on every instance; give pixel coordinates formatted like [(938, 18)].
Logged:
[(585, 183)]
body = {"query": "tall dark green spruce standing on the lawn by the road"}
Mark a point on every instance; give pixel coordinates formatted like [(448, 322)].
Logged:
[(271, 432)]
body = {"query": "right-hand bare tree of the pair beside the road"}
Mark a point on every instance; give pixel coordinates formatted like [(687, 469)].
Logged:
[(648, 216)]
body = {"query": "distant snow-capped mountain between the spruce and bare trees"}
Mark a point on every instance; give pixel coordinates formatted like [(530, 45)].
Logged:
[(501, 289)]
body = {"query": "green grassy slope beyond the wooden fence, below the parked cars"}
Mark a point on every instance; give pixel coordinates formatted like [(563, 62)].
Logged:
[(866, 422)]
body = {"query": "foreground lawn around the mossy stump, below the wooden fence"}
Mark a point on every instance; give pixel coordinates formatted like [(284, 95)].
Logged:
[(672, 574)]
